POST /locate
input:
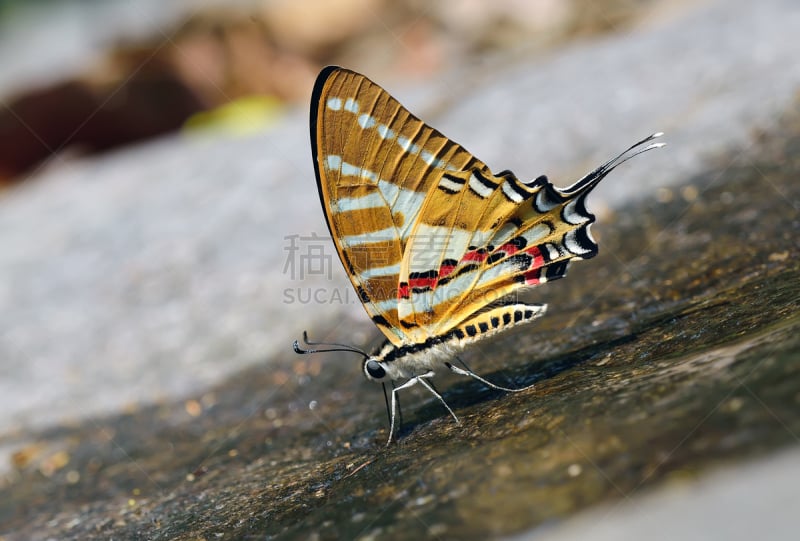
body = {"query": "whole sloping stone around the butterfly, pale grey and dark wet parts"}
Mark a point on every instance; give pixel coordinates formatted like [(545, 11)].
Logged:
[(151, 282)]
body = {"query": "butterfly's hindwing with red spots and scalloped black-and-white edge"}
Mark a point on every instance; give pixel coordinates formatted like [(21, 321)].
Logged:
[(484, 237)]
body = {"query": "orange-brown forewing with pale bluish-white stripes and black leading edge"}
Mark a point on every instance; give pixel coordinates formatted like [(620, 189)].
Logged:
[(375, 164)]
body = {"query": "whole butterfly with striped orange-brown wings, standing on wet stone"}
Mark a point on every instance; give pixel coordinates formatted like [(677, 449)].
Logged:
[(433, 241)]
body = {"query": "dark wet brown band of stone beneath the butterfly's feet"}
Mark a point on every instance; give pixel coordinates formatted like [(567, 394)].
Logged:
[(675, 351)]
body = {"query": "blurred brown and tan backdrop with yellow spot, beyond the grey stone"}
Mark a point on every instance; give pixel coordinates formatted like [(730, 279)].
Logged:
[(85, 76)]
